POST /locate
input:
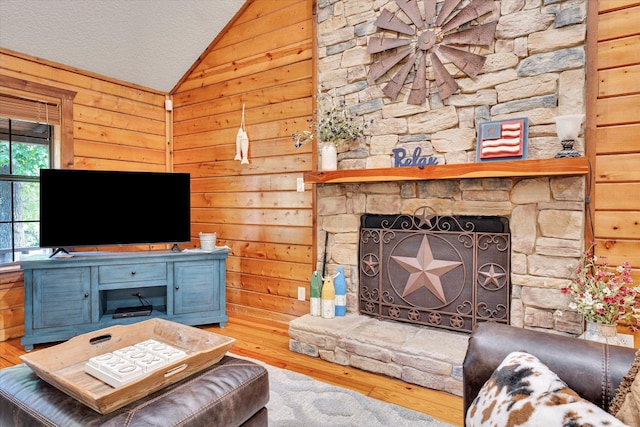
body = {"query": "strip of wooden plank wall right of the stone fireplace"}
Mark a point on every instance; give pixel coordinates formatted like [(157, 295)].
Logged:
[(616, 129)]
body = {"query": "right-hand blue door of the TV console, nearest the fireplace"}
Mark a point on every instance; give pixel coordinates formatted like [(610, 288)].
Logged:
[(196, 288)]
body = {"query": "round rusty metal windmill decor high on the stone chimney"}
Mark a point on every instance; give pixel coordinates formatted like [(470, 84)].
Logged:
[(425, 39)]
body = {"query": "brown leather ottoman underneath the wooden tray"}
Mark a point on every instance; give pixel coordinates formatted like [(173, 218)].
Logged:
[(232, 392)]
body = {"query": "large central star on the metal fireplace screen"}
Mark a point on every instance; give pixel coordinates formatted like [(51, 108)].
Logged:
[(425, 271)]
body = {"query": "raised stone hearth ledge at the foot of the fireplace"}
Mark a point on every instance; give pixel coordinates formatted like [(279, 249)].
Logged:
[(423, 356)]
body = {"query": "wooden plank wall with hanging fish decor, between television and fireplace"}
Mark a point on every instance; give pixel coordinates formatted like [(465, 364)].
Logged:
[(263, 61)]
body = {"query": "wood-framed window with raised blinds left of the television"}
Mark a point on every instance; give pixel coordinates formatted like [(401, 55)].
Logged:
[(30, 112)]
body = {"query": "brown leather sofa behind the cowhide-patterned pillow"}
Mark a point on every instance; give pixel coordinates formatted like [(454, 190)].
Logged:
[(591, 369)]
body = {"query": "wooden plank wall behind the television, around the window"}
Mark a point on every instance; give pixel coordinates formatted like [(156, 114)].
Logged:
[(116, 126)]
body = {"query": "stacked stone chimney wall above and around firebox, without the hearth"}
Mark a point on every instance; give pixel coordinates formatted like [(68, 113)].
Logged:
[(536, 69)]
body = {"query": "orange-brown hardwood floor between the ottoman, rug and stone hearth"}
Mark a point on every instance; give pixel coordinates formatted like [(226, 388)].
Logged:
[(269, 341)]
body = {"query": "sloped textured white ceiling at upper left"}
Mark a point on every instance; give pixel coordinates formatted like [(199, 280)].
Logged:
[(152, 43)]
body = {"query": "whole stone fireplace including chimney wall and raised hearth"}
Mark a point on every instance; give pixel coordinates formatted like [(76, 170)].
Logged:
[(535, 68)]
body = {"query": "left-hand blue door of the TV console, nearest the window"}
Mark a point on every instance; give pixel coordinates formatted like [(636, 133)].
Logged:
[(61, 297)]
